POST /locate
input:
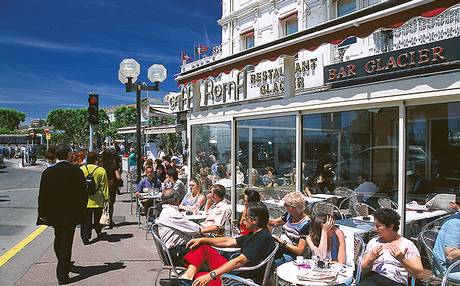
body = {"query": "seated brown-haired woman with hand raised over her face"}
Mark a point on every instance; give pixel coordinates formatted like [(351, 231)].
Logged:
[(325, 237)]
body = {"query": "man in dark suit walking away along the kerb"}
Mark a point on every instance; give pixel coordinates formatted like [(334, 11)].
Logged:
[(61, 203)]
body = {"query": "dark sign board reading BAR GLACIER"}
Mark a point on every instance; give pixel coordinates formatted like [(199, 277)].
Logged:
[(428, 58)]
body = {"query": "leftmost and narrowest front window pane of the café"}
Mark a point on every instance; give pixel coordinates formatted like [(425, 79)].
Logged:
[(211, 154)]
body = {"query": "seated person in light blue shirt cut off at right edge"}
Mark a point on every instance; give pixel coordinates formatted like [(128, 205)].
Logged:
[(447, 247)]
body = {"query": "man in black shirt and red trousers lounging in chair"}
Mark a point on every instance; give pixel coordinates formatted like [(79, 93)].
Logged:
[(255, 247)]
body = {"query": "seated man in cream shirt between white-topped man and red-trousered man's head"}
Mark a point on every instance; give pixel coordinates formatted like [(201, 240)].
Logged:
[(218, 210)]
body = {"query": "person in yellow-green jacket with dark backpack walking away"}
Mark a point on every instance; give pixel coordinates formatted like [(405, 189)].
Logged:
[(95, 202)]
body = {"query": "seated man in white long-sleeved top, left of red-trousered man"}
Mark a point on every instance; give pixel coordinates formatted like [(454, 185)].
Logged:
[(174, 228)]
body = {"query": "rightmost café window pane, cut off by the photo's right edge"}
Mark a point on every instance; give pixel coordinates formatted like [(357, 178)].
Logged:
[(432, 181)]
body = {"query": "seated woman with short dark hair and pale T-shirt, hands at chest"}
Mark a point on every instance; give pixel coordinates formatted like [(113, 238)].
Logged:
[(389, 259)]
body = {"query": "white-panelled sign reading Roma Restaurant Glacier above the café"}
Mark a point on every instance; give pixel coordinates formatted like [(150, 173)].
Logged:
[(247, 84)]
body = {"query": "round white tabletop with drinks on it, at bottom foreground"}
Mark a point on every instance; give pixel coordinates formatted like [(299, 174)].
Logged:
[(289, 271)]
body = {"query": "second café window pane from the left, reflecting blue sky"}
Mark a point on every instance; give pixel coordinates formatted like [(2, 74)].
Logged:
[(266, 157)]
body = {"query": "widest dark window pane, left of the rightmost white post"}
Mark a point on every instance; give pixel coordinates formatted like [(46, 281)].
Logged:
[(352, 153)]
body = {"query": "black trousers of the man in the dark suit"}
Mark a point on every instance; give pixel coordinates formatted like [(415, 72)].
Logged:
[(63, 240)]
